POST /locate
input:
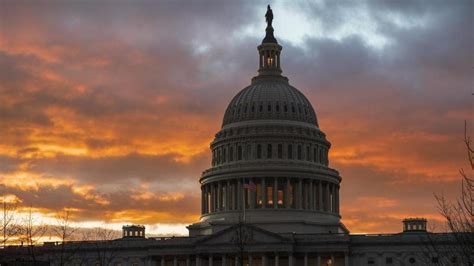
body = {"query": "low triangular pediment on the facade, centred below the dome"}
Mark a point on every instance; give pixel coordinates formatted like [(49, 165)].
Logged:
[(246, 234)]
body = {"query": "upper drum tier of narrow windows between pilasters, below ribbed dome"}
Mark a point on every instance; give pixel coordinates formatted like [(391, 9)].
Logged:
[(294, 151)]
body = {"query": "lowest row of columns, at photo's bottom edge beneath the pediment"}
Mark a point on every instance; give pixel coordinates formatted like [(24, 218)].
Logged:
[(329, 260)]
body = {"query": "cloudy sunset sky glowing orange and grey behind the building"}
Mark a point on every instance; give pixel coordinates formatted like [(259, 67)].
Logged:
[(107, 108)]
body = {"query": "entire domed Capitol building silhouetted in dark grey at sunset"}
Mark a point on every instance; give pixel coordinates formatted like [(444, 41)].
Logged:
[(269, 198)]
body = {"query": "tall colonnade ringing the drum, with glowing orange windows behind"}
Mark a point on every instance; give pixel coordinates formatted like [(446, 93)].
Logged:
[(276, 192)]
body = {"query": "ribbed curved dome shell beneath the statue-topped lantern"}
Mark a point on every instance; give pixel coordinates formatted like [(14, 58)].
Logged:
[(270, 98)]
